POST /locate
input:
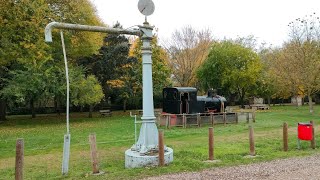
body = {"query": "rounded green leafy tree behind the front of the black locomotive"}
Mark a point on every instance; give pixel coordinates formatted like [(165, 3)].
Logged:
[(232, 67)]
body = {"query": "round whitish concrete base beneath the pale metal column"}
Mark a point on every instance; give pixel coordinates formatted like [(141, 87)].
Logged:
[(133, 159)]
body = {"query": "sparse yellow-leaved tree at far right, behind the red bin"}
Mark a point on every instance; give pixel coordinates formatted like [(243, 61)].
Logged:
[(303, 50)]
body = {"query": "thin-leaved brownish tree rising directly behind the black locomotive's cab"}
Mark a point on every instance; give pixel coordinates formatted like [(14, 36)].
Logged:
[(187, 50)]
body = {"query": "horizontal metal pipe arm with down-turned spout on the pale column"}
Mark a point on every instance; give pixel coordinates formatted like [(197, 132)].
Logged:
[(50, 26)]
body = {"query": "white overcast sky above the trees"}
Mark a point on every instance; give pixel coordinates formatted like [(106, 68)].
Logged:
[(267, 20)]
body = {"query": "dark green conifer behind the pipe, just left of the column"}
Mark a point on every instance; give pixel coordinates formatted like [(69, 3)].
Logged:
[(108, 65)]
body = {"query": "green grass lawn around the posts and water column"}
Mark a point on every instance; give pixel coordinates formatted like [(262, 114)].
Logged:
[(43, 137)]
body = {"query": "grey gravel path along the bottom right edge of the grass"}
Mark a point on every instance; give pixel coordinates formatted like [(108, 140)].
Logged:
[(304, 168)]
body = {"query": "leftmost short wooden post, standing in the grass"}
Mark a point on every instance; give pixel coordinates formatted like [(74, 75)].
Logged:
[(19, 159)]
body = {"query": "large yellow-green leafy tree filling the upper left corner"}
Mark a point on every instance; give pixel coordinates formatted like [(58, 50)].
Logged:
[(22, 45)]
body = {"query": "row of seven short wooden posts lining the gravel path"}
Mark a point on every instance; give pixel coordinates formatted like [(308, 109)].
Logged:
[(94, 154)]
